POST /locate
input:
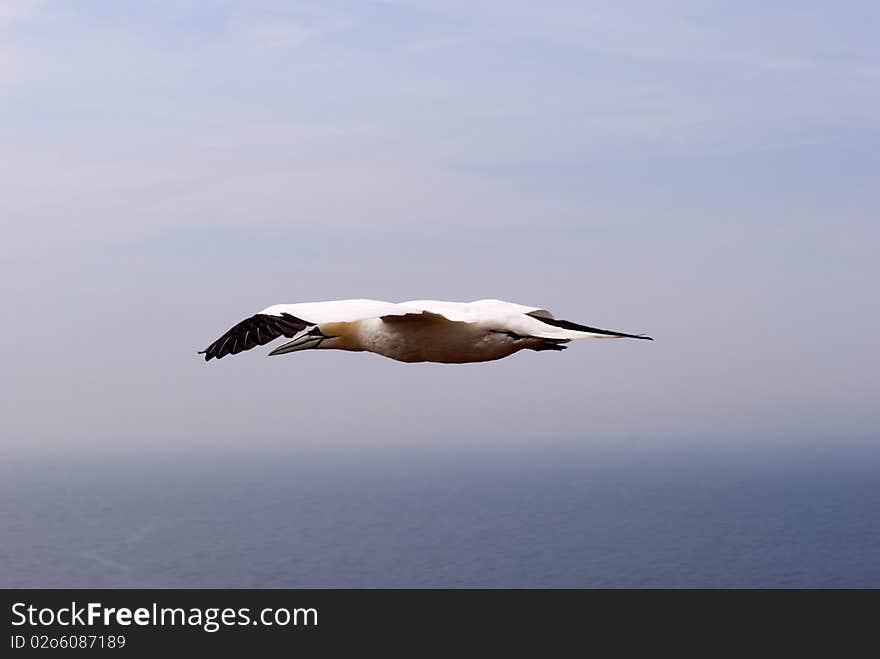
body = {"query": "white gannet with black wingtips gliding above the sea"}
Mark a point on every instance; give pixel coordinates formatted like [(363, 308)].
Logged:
[(417, 331)]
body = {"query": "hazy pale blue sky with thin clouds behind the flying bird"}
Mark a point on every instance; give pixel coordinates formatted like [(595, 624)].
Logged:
[(707, 173)]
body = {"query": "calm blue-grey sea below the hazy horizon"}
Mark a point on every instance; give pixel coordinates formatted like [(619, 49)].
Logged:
[(551, 514)]
